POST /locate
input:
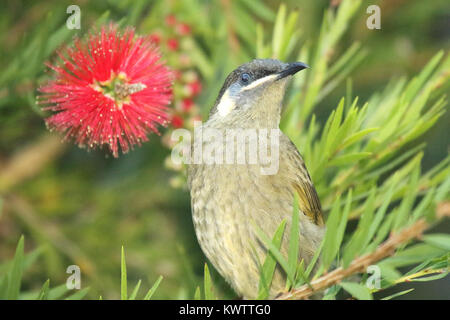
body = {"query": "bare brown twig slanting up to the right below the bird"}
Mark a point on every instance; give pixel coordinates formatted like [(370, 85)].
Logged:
[(360, 264)]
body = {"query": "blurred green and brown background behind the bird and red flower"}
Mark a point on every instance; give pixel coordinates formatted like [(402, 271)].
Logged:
[(80, 207)]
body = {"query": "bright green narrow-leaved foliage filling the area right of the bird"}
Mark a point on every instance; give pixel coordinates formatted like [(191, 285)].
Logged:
[(356, 150)]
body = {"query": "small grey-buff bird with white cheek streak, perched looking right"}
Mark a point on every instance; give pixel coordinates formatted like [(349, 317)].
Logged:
[(228, 200)]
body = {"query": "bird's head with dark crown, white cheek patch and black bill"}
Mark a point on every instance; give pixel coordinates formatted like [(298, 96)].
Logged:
[(252, 94)]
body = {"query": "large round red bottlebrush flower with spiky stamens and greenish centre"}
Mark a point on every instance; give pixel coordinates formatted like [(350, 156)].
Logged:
[(111, 89)]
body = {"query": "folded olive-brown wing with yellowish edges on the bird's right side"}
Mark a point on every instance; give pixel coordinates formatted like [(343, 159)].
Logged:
[(309, 202)]
